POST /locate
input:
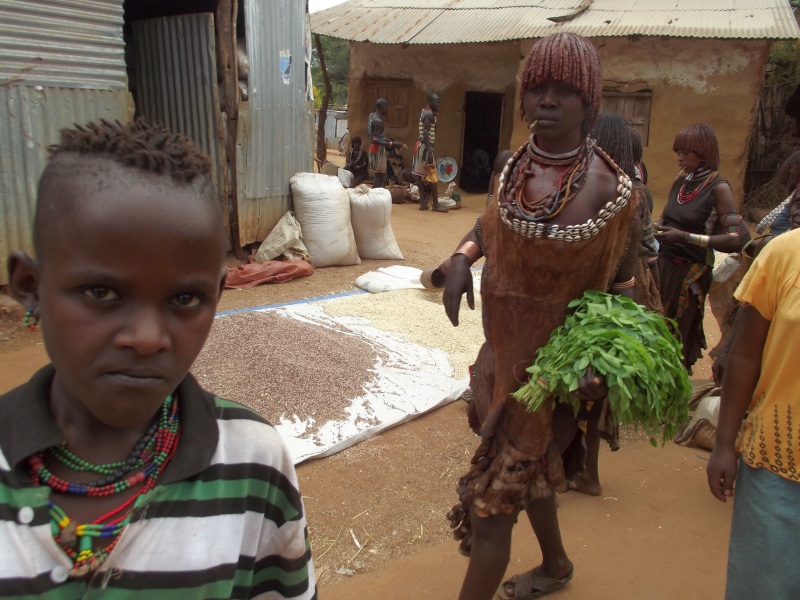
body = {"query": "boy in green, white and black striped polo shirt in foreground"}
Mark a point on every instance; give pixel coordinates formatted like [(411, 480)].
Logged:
[(119, 476)]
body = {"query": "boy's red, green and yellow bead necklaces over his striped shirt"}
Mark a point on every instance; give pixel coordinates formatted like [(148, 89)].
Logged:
[(144, 465)]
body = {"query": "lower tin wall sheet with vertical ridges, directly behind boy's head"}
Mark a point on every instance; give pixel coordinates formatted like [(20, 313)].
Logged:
[(32, 117)]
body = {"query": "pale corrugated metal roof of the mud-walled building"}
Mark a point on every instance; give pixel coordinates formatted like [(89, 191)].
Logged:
[(477, 21)]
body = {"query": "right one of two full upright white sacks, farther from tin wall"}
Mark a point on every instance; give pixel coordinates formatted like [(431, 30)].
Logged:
[(371, 214)]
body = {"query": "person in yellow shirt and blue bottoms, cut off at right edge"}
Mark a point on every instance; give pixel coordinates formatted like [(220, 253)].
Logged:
[(761, 385)]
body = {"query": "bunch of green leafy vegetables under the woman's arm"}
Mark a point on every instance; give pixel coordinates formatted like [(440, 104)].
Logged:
[(634, 350)]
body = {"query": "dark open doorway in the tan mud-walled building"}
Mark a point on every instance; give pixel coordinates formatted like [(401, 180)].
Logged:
[(483, 112)]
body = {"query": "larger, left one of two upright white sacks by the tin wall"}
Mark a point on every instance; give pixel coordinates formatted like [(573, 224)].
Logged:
[(322, 207)]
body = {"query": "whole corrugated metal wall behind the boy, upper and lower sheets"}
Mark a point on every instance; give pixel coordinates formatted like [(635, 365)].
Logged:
[(61, 62)]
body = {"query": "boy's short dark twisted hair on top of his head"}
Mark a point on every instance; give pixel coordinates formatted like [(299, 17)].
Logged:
[(139, 144)]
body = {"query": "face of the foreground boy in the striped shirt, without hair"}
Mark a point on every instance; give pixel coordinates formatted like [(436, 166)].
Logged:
[(128, 285)]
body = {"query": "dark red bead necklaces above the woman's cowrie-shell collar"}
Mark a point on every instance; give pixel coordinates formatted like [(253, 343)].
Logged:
[(512, 198)]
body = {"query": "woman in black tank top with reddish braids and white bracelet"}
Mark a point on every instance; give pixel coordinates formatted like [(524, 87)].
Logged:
[(700, 217)]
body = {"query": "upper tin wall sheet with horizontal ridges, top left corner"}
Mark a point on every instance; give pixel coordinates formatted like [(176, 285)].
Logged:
[(63, 43)]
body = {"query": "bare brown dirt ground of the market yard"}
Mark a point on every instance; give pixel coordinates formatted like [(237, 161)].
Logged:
[(376, 511)]
